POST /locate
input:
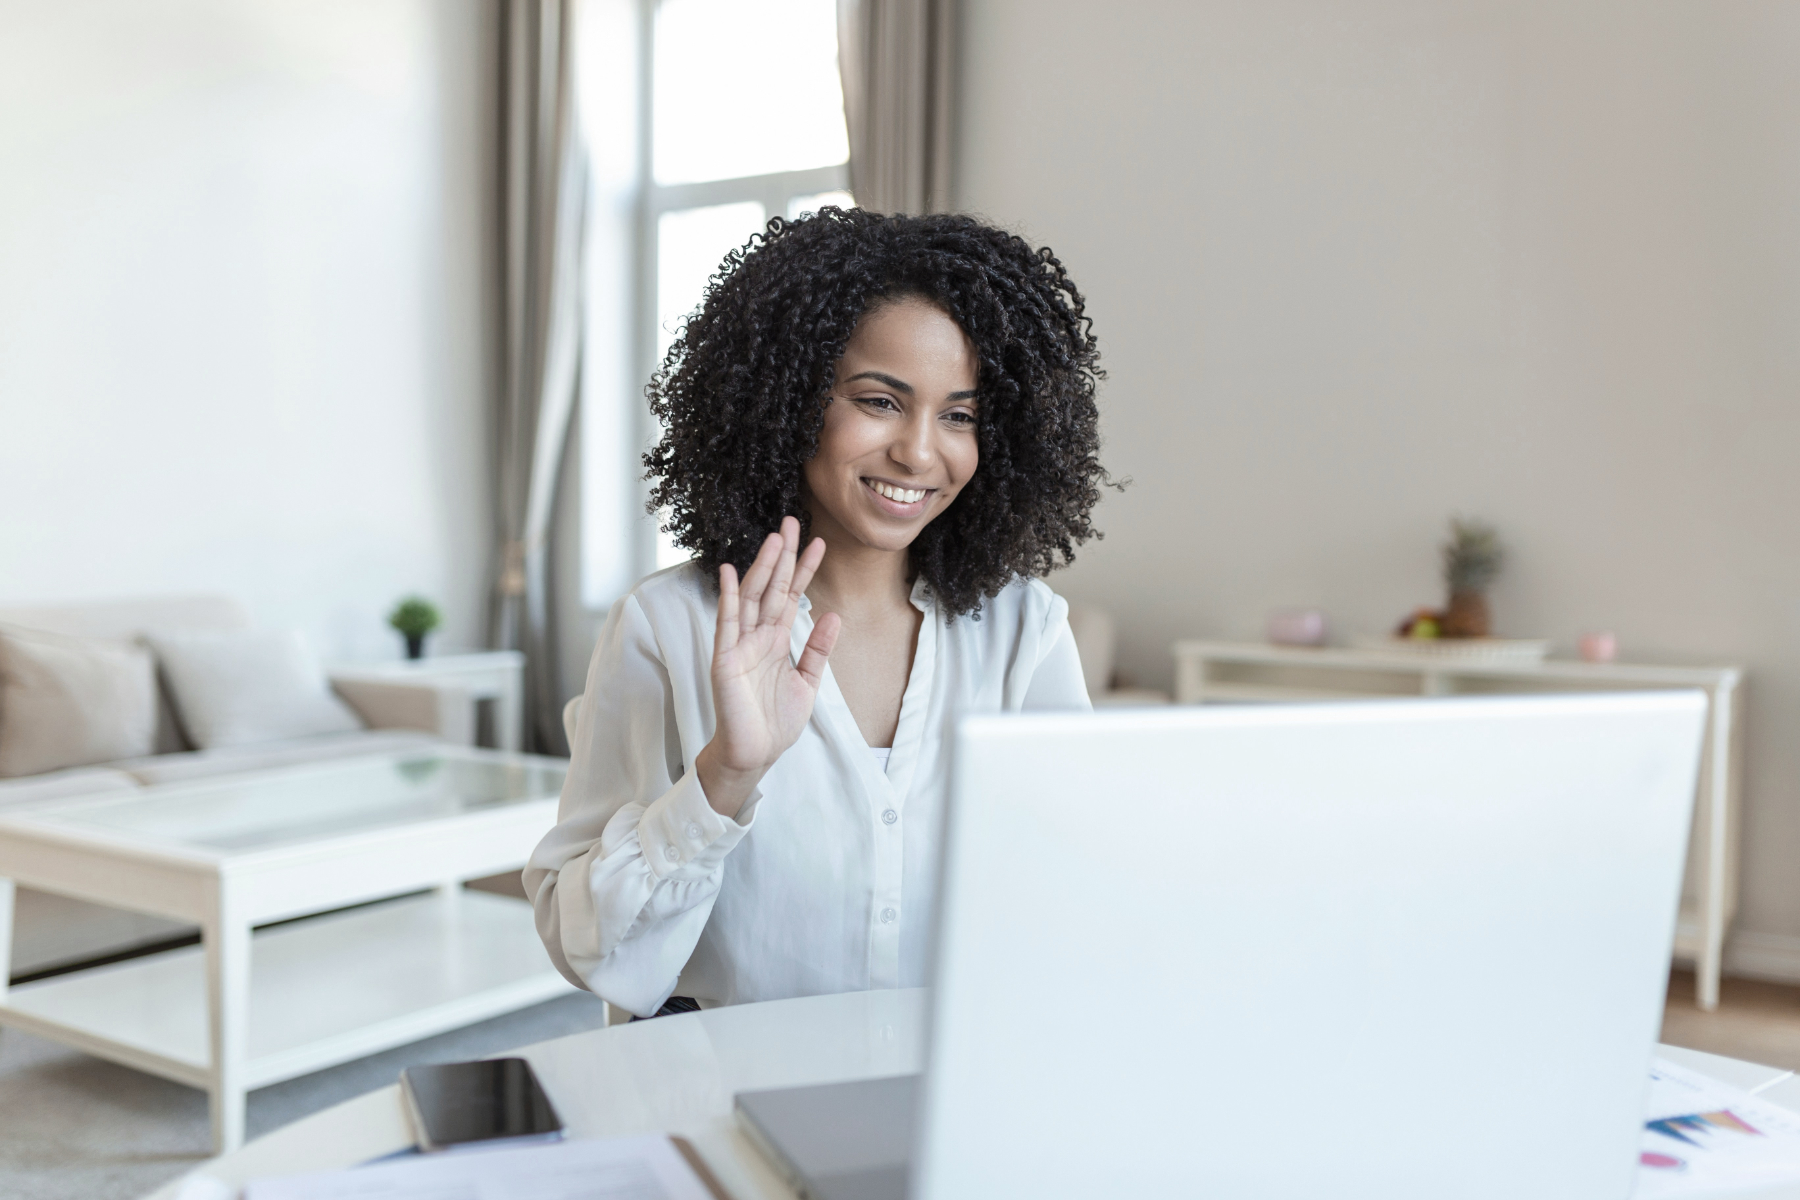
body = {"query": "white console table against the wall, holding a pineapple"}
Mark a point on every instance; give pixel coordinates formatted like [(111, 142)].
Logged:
[(1257, 674)]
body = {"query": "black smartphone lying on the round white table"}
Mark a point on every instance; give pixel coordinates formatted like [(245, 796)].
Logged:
[(492, 1102)]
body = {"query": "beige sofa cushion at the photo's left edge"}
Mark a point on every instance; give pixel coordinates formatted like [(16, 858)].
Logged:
[(73, 703)]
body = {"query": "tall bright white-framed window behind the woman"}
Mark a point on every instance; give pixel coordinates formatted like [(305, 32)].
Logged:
[(737, 116)]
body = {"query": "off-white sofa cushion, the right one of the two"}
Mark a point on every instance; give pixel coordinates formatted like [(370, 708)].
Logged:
[(235, 690)]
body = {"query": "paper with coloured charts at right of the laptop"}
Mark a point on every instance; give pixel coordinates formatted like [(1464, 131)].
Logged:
[(1707, 1138)]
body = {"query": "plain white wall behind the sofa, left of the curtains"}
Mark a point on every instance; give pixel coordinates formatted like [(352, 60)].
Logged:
[(242, 343)]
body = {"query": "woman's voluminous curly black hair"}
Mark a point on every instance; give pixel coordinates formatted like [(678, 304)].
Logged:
[(744, 386)]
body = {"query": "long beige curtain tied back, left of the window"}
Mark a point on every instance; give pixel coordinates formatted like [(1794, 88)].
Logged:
[(543, 199)]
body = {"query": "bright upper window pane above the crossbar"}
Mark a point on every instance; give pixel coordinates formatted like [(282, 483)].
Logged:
[(746, 89)]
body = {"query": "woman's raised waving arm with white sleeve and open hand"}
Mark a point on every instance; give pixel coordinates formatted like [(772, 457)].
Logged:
[(625, 882)]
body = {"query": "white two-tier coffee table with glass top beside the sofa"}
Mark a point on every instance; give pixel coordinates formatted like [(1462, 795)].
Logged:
[(235, 854)]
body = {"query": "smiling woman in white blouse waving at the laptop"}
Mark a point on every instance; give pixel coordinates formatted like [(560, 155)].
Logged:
[(757, 793)]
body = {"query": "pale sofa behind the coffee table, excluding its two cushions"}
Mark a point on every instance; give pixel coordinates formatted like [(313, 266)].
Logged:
[(55, 931)]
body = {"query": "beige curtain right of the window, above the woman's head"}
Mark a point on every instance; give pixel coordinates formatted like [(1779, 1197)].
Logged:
[(895, 58)]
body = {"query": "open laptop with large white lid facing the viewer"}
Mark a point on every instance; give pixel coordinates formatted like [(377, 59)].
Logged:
[(1399, 951)]
